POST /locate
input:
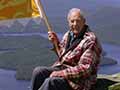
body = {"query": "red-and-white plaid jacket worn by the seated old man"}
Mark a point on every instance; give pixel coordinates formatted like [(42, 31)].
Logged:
[(82, 62)]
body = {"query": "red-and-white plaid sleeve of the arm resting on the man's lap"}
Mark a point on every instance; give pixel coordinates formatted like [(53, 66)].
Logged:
[(84, 67)]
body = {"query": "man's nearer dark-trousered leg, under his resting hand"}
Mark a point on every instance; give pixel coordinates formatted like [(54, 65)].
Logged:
[(55, 83)]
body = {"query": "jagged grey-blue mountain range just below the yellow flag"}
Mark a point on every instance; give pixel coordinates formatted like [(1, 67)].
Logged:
[(19, 27)]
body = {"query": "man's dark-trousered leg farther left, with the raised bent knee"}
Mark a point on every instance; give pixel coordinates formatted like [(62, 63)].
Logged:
[(39, 75)]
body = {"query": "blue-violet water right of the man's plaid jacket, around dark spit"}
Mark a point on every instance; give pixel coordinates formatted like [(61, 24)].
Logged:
[(113, 51)]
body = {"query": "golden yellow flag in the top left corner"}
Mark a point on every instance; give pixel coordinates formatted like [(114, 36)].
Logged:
[(11, 9)]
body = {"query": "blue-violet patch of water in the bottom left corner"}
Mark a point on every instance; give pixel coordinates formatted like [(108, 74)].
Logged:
[(9, 82)]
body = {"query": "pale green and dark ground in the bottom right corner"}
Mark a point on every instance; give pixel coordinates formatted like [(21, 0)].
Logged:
[(108, 82)]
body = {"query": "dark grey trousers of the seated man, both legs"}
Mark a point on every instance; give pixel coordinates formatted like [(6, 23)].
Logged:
[(42, 81)]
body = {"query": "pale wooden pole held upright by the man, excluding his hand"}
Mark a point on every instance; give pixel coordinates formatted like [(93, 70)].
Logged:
[(42, 12)]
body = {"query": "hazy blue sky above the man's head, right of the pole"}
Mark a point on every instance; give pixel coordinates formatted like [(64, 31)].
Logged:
[(61, 7)]
